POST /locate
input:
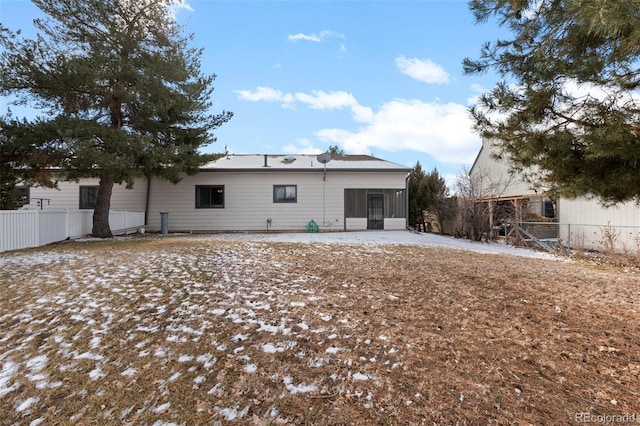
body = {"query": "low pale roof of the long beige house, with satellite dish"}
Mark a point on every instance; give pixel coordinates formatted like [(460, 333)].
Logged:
[(304, 162)]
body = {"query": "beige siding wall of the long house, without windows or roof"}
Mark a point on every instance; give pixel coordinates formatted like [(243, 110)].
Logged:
[(248, 201)]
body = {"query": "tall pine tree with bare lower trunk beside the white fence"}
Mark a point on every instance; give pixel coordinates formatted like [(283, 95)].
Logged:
[(123, 90)]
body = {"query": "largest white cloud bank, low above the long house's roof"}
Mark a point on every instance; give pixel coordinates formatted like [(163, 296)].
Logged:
[(441, 130)]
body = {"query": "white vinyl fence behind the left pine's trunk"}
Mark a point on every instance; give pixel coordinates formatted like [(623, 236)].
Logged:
[(33, 228)]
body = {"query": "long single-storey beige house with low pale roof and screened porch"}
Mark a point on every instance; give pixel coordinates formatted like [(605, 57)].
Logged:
[(259, 193)]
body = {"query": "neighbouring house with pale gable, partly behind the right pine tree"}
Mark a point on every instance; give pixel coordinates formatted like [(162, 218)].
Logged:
[(581, 221)]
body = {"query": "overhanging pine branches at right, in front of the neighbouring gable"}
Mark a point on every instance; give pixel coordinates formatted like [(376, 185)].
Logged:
[(567, 113)]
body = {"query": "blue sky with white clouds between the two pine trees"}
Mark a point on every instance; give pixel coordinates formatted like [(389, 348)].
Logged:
[(373, 77)]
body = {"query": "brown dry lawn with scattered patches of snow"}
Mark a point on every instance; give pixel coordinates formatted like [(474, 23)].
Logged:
[(205, 330)]
